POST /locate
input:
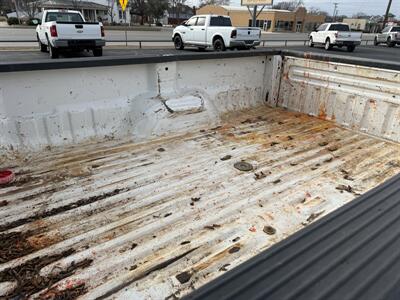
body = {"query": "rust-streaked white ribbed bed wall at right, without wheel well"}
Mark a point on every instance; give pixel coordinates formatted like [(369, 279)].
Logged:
[(357, 97)]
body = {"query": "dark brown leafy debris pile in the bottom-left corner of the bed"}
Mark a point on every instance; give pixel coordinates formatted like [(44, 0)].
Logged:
[(28, 278)]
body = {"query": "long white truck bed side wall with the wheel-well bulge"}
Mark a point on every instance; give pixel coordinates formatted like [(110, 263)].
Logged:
[(59, 107)]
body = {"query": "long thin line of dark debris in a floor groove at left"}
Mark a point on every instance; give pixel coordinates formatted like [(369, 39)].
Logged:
[(57, 210)]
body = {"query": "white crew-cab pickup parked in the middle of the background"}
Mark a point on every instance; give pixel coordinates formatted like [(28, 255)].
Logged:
[(214, 31)]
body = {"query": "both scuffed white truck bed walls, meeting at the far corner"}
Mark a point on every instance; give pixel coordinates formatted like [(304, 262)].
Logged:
[(144, 101)]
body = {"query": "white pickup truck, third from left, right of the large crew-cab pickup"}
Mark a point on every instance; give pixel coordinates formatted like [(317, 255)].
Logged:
[(335, 34)]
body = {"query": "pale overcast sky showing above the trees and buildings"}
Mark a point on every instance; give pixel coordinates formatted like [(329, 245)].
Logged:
[(346, 7)]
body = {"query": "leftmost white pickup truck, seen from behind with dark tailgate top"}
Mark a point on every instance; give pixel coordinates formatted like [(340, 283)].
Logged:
[(67, 29)]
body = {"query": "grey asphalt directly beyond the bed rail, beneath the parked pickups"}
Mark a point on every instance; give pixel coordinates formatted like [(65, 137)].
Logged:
[(371, 52)]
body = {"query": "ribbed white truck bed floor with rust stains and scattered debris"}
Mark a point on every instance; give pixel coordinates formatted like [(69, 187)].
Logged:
[(158, 219)]
